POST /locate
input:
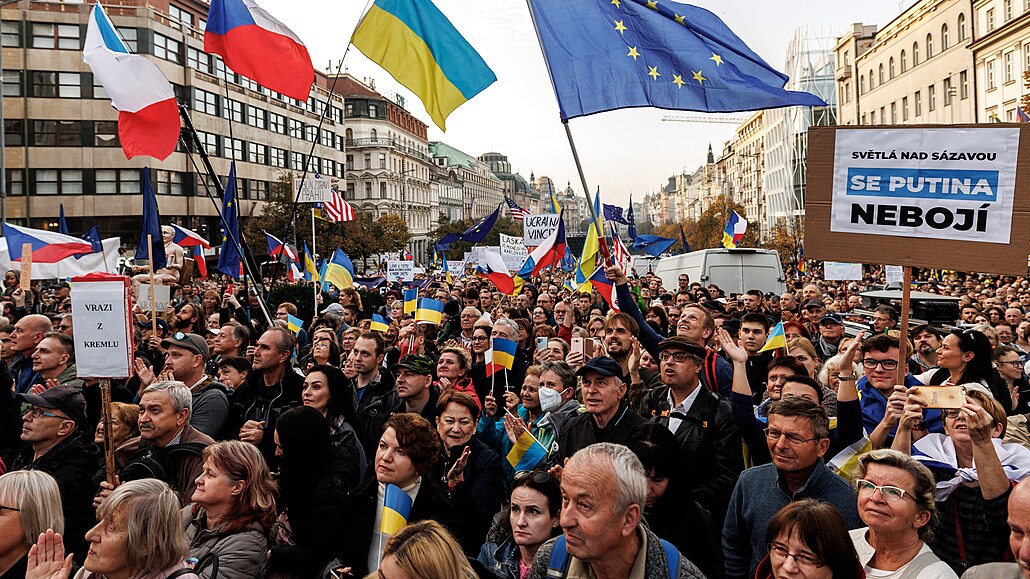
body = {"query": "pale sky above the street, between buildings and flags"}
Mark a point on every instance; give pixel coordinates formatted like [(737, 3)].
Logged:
[(623, 152)]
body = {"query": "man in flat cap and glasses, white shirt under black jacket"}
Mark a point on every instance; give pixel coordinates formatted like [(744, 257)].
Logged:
[(702, 421)]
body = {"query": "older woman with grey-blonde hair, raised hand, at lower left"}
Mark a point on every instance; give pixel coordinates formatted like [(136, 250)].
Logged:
[(140, 535)]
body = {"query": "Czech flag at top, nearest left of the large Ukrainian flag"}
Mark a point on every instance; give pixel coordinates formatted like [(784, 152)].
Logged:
[(259, 47)]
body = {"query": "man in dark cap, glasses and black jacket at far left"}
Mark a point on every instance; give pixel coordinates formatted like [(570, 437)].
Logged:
[(57, 447)]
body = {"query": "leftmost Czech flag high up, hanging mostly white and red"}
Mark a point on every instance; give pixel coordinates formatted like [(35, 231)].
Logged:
[(149, 116)]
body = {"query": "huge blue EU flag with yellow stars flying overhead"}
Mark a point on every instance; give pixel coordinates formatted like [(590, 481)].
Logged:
[(605, 55)]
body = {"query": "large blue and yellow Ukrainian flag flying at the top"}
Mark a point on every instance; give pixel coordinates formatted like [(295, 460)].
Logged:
[(417, 44)]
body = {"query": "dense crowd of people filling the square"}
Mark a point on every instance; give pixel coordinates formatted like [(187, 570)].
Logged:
[(673, 442)]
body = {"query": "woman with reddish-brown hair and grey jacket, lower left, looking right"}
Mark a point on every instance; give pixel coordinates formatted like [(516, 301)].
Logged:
[(233, 510)]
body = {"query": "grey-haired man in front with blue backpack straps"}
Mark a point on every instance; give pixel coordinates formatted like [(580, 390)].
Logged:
[(605, 490)]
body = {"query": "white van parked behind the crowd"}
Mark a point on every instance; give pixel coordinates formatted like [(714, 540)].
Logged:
[(735, 271)]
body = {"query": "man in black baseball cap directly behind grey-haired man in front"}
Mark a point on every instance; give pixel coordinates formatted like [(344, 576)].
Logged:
[(608, 419)]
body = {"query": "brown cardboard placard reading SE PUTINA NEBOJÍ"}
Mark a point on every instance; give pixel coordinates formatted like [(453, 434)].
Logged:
[(920, 196)]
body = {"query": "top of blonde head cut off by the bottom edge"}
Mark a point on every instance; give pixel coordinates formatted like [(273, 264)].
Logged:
[(427, 551)]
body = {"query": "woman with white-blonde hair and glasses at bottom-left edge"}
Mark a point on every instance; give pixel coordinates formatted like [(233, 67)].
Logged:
[(30, 503)]
